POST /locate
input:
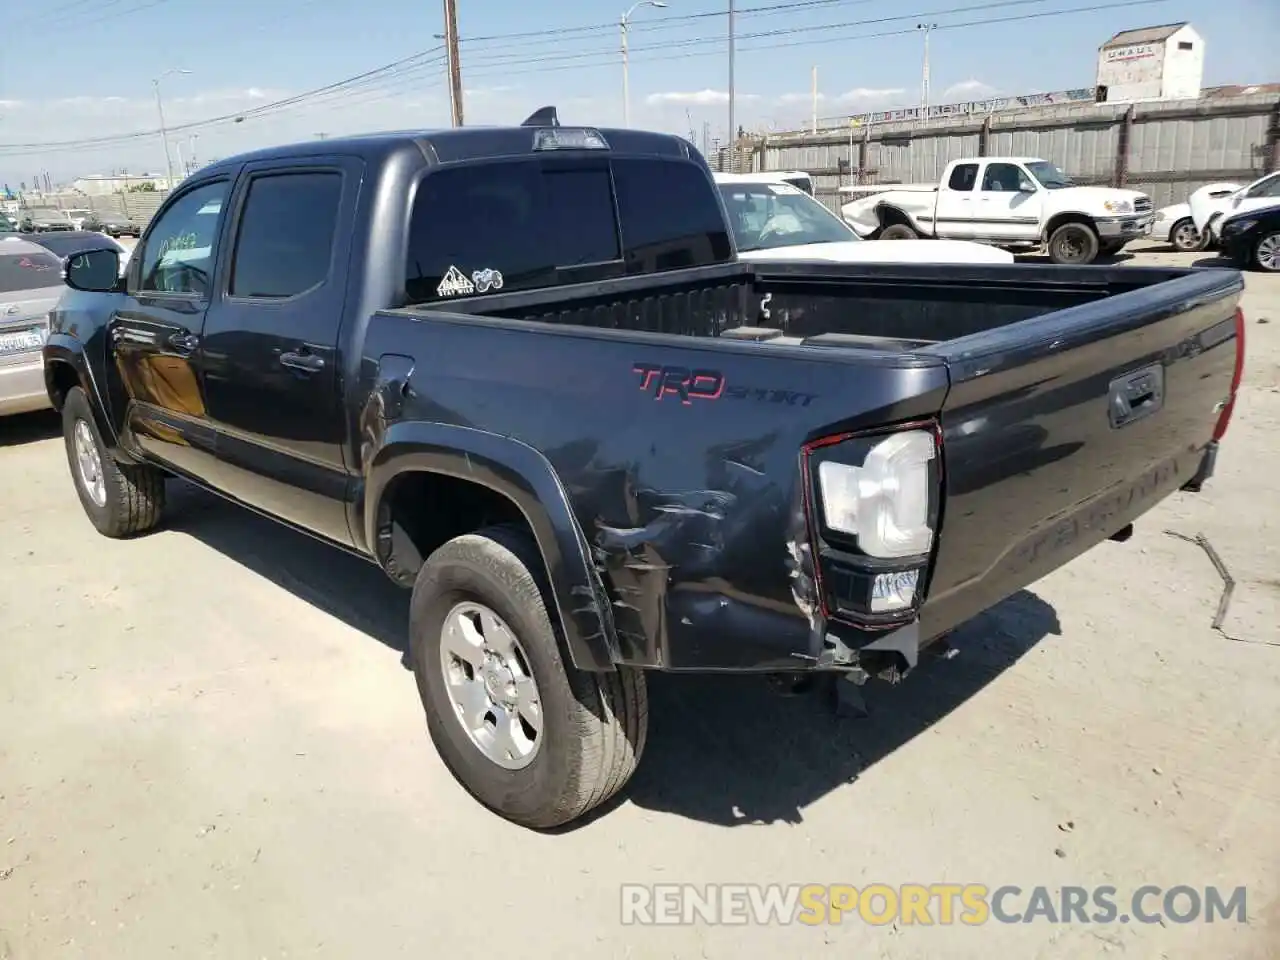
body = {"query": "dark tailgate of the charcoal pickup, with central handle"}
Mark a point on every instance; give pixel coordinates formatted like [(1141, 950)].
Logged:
[(1060, 431)]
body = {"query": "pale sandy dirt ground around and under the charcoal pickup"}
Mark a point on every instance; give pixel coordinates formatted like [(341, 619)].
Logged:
[(209, 748)]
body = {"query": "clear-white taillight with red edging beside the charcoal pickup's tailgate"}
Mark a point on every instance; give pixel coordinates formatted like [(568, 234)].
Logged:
[(874, 504)]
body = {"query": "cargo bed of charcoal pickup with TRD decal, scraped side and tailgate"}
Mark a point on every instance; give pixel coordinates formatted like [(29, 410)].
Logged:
[(1020, 368)]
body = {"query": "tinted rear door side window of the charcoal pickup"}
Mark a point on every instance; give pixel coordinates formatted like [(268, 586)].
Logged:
[(286, 235)]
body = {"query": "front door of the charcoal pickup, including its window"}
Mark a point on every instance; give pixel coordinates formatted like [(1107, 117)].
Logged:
[(156, 335)]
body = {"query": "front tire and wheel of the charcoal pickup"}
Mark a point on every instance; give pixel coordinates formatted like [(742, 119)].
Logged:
[(131, 497)]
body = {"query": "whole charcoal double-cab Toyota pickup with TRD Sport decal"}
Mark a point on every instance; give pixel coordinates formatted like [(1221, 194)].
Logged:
[(524, 373)]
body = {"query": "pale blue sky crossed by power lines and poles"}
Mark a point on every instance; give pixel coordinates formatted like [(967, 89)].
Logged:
[(243, 56)]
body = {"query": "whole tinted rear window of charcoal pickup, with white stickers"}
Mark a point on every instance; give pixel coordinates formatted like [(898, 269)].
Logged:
[(523, 225)]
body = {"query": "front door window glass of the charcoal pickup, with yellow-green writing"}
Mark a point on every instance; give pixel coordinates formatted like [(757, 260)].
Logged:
[(179, 257)]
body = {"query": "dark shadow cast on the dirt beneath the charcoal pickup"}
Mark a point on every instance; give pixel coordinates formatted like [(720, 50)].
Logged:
[(723, 749)]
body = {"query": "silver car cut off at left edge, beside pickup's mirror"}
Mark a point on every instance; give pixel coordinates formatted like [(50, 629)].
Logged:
[(31, 284)]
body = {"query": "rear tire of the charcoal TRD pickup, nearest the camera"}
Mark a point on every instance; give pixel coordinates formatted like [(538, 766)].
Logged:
[(593, 726)]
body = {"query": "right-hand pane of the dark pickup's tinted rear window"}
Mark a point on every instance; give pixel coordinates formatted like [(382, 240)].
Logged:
[(670, 216)]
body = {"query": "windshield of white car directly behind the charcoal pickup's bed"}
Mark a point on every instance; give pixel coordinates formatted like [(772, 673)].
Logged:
[(767, 216)]
